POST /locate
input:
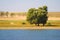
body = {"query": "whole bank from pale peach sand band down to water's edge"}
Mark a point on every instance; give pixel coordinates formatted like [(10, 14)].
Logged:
[(17, 23)]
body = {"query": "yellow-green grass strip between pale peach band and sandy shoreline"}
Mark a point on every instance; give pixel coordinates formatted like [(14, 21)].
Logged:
[(24, 23)]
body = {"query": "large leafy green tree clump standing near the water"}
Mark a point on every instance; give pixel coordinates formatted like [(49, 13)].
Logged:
[(37, 16)]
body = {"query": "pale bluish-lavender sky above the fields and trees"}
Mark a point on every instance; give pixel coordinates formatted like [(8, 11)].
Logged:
[(24, 5)]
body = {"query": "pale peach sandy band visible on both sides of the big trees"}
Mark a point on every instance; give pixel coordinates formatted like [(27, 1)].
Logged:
[(24, 18)]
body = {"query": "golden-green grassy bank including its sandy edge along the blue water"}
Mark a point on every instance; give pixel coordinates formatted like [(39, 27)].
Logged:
[(18, 24)]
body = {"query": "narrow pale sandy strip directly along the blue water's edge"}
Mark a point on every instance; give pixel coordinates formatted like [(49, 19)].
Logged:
[(27, 28)]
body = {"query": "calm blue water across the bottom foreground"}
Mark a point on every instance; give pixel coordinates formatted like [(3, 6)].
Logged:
[(29, 34)]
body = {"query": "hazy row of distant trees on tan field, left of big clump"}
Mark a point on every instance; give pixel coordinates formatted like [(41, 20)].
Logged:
[(12, 14)]
